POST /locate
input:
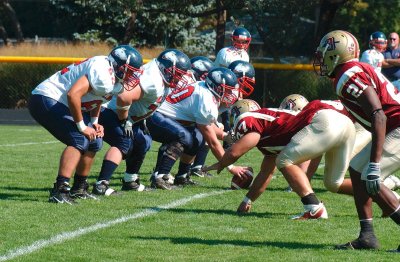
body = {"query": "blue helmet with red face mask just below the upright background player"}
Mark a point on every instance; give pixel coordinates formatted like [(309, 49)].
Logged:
[(245, 74)]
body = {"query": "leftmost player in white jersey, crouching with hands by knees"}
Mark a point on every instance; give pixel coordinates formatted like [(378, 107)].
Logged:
[(68, 104)]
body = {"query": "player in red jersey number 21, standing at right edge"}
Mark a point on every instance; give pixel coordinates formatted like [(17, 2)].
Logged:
[(374, 103)]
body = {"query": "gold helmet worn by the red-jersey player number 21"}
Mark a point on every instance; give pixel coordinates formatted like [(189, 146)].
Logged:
[(336, 47)]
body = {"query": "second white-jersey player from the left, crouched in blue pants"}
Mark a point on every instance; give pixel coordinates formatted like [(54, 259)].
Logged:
[(123, 118)]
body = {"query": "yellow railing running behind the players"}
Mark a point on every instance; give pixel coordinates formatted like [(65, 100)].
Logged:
[(69, 60)]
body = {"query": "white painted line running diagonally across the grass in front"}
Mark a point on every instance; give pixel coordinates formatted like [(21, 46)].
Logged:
[(37, 245)]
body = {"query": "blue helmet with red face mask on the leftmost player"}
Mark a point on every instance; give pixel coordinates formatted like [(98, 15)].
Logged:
[(127, 63)]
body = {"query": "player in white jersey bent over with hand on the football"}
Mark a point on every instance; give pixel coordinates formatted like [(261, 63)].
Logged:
[(188, 116)]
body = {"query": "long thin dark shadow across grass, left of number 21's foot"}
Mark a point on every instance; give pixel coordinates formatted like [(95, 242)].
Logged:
[(245, 243)]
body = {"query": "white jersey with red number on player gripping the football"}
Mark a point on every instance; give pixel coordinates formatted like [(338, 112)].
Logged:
[(195, 104)]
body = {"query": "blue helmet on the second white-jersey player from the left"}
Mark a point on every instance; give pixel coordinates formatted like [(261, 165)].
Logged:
[(173, 65)]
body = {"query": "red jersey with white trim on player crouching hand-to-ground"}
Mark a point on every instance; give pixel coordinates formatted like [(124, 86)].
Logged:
[(277, 127)]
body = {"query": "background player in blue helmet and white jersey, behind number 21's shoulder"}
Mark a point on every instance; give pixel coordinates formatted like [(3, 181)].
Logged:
[(374, 56)]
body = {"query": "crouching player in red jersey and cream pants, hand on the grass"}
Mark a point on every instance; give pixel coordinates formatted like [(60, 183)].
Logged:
[(286, 140)]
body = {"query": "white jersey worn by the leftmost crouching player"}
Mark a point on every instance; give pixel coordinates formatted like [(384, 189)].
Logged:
[(101, 77)]
